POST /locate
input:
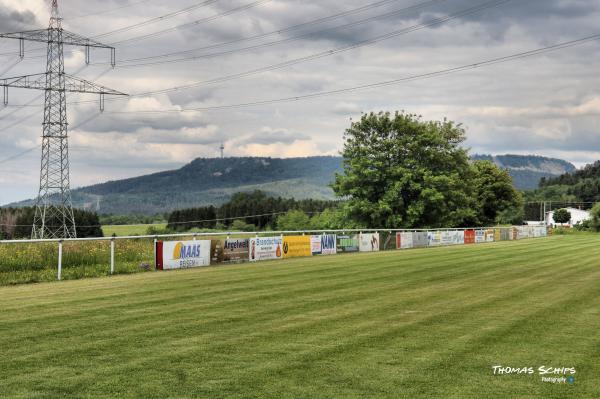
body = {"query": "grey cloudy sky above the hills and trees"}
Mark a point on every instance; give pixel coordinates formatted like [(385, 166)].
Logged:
[(547, 105)]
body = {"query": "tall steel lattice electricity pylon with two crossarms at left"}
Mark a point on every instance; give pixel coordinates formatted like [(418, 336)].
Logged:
[(54, 209)]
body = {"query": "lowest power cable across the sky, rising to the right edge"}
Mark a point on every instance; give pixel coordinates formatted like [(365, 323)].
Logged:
[(442, 72)]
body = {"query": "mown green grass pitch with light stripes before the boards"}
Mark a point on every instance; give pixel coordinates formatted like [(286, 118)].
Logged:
[(426, 323)]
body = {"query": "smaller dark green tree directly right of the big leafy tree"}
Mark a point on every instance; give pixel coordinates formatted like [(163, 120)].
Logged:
[(497, 199)]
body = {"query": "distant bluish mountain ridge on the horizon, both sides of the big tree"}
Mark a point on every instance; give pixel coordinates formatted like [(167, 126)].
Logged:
[(212, 181)]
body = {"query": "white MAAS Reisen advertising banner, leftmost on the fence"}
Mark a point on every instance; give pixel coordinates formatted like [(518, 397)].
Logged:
[(182, 254)]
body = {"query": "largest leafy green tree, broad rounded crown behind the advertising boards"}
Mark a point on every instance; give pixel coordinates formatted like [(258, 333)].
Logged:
[(401, 172)]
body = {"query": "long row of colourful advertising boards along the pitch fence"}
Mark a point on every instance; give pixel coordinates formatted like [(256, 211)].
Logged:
[(184, 254)]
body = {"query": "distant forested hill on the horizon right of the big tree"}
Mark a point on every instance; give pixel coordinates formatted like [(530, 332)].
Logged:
[(528, 170)]
